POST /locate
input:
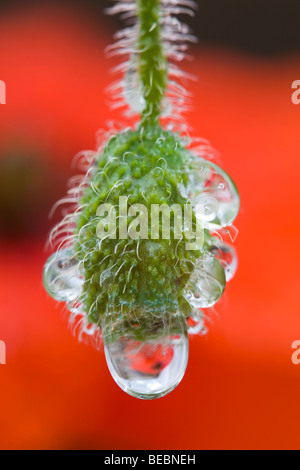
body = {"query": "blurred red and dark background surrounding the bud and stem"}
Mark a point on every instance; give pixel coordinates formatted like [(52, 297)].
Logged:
[(241, 389)]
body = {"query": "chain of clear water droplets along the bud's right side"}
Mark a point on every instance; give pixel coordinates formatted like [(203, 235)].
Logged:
[(215, 201)]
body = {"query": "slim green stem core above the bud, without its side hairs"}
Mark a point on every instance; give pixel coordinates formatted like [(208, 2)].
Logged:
[(153, 67)]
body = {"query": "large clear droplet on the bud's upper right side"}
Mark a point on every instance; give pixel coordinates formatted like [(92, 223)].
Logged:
[(213, 194)]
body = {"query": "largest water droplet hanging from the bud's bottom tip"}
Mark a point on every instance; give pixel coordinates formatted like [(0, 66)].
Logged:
[(146, 362)]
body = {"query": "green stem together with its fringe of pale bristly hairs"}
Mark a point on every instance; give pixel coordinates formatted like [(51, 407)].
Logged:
[(152, 41)]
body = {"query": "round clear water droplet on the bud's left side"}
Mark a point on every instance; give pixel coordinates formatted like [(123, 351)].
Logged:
[(61, 276)]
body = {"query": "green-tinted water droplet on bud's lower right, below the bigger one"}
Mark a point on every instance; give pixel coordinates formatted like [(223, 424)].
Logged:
[(206, 284)]
